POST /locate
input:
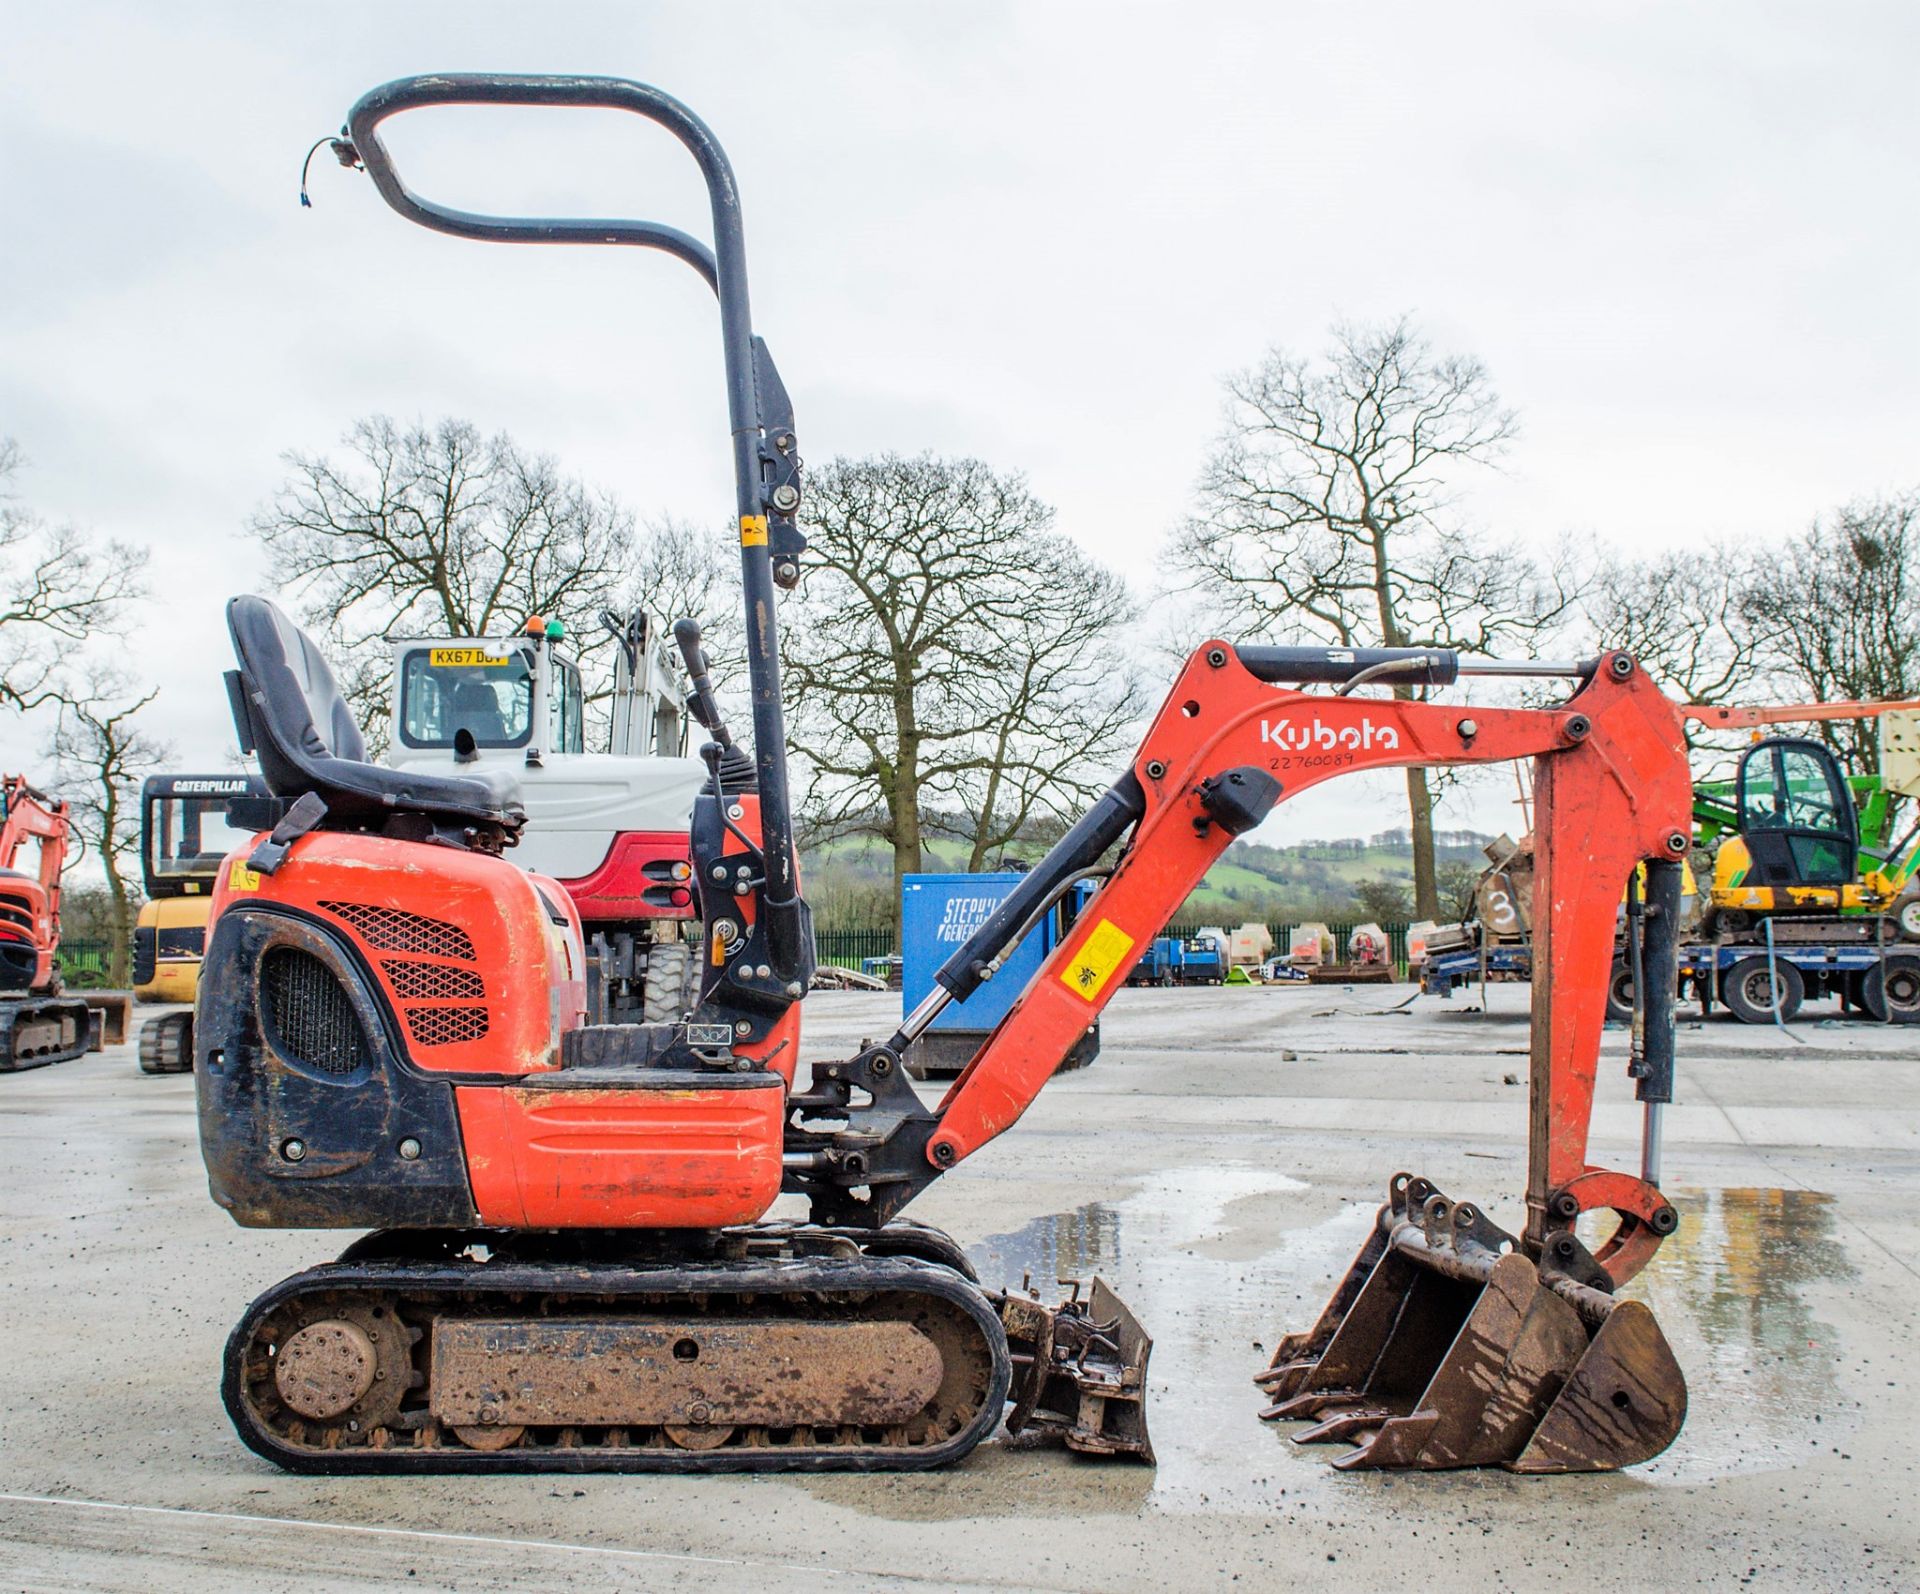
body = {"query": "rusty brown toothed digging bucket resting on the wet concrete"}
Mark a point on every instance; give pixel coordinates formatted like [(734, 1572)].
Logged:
[(1447, 1347)]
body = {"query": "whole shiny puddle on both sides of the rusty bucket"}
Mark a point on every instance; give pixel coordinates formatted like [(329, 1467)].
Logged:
[(1220, 1263)]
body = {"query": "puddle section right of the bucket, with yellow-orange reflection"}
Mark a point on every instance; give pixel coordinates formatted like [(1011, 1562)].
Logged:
[(1762, 1366)]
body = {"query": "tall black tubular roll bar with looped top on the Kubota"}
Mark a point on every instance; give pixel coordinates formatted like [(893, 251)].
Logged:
[(767, 464)]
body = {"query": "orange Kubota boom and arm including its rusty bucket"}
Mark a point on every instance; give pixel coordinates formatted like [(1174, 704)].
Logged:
[(1451, 1341)]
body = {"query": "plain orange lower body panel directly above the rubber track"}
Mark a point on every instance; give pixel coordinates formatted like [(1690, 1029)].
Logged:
[(633, 1157)]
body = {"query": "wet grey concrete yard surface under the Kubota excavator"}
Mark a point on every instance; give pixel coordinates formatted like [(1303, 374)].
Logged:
[(1218, 1167)]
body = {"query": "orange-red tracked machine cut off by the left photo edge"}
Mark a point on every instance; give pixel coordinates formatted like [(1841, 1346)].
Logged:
[(37, 1025)]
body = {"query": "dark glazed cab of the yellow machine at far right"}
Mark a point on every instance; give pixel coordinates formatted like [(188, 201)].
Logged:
[(1796, 815)]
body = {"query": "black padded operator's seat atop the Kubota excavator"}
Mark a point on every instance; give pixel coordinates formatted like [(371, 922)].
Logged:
[(289, 712)]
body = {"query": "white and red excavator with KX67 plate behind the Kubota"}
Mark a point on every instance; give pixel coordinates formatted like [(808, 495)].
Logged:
[(610, 827)]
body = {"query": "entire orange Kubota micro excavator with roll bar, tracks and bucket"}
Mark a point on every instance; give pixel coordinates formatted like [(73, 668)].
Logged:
[(571, 1261)]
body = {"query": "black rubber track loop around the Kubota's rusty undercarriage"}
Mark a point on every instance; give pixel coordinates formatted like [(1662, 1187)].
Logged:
[(521, 1288)]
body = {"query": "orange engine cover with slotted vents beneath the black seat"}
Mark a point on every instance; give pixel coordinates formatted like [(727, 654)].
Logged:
[(466, 952)]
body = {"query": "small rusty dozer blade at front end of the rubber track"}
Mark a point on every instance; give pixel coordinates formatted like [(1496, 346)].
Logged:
[(1080, 1372)]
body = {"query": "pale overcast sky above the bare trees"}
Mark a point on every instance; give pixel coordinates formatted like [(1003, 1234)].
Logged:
[(1681, 237)]
